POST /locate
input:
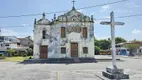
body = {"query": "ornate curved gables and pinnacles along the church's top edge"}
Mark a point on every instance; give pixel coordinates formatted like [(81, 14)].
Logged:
[(71, 16)]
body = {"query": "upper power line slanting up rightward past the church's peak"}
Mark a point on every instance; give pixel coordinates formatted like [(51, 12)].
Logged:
[(65, 10)]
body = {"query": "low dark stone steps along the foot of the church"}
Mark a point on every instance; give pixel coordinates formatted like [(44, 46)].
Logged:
[(60, 60)]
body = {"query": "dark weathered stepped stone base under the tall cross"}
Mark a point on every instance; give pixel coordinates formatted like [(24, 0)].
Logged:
[(115, 74)]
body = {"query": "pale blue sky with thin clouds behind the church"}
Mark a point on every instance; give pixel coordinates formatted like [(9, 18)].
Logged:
[(130, 31)]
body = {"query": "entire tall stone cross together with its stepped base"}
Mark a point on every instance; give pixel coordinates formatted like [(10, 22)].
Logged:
[(114, 72)]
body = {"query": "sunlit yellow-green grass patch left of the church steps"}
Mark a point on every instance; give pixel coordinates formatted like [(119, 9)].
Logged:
[(15, 59)]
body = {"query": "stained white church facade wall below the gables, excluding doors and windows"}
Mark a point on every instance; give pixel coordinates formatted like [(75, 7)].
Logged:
[(55, 51)]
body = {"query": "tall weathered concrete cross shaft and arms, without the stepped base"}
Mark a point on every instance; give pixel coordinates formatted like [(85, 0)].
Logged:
[(112, 23)]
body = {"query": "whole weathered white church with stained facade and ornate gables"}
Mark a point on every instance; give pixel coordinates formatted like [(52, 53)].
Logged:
[(70, 35)]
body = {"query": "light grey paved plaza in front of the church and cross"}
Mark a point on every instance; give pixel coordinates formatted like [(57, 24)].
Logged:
[(81, 71)]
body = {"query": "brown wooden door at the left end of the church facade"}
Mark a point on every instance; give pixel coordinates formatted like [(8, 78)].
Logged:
[(43, 52)]
